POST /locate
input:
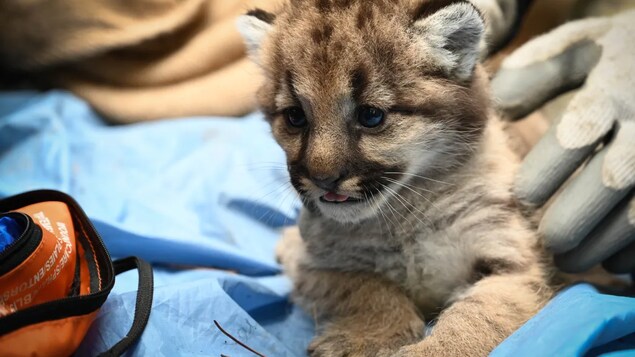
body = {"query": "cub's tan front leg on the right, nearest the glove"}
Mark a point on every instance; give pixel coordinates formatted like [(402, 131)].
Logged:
[(484, 316)]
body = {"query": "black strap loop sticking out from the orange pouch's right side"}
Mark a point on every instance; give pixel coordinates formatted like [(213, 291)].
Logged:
[(142, 307)]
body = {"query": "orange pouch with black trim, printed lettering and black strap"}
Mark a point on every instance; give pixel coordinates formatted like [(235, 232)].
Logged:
[(55, 275)]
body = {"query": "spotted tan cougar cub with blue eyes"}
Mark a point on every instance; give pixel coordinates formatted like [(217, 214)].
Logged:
[(405, 176)]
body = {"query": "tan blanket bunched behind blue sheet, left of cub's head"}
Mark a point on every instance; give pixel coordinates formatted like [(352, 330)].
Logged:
[(135, 60)]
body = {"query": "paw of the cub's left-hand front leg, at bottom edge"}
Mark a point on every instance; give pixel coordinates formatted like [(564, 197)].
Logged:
[(344, 345)]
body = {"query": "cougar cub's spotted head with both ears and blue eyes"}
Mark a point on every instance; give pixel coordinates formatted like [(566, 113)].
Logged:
[(364, 96)]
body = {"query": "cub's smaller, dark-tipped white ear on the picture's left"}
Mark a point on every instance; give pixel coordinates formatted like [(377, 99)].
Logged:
[(254, 27)]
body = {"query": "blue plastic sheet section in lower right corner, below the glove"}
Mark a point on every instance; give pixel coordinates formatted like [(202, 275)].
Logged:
[(578, 322)]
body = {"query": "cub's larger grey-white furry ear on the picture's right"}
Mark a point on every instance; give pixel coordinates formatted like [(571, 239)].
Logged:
[(451, 35)]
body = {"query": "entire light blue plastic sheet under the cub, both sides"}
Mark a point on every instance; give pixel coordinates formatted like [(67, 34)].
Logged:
[(204, 193)]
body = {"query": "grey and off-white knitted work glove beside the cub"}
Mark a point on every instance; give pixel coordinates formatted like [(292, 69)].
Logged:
[(593, 218)]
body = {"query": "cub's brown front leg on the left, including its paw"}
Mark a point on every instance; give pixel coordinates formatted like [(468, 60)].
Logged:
[(357, 314)]
